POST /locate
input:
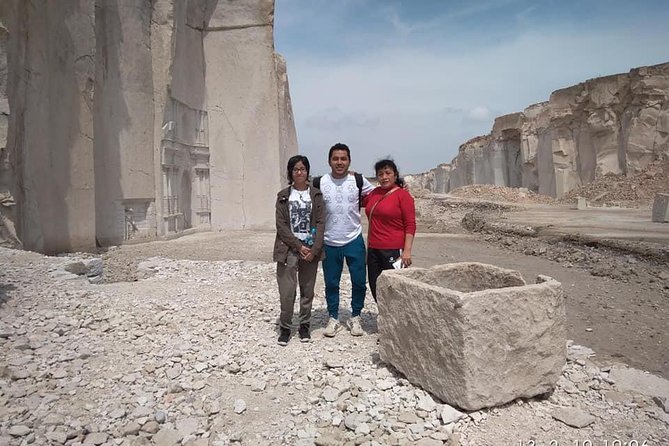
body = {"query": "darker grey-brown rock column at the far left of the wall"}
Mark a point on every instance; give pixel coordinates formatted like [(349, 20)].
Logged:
[(50, 50)]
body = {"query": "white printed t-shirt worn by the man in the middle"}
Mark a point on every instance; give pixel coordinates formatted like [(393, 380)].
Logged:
[(342, 223)]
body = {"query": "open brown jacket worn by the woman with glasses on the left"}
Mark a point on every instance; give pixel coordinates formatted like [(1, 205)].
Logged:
[(285, 239)]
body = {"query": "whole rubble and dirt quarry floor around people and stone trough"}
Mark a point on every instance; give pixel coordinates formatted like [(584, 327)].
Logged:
[(183, 350)]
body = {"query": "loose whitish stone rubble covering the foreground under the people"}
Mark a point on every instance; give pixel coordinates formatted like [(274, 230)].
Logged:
[(187, 355)]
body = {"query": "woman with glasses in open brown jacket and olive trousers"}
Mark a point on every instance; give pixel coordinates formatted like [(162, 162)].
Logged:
[(300, 223)]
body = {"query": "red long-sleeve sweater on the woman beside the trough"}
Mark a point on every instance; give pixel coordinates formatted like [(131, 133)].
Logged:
[(392, 218)]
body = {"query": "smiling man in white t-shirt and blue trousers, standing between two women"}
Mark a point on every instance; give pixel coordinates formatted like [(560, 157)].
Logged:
[(343, 238)]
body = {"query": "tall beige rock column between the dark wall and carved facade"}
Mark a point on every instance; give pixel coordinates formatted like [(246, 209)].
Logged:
[(124, 121)]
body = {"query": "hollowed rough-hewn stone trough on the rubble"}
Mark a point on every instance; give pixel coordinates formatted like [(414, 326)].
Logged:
[(473, 335)]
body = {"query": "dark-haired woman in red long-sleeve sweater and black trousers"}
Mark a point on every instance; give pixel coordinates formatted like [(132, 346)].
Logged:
[(392, 223)]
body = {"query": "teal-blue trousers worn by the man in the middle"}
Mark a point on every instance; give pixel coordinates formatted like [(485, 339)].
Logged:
[(333, 265)]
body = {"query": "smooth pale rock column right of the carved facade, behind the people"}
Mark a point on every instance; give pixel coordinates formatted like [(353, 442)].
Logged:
[(244, 126)]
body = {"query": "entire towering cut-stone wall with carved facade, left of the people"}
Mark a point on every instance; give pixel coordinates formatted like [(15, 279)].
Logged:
[(129, 119)]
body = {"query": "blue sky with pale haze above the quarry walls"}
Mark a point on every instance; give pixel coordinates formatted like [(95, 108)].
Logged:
[(415, 79)]
